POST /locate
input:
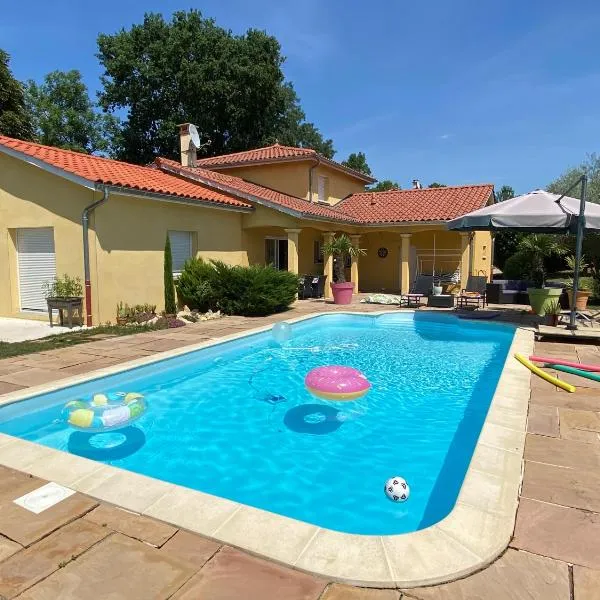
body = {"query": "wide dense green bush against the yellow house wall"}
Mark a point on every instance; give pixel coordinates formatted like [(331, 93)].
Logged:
[(235, 290)]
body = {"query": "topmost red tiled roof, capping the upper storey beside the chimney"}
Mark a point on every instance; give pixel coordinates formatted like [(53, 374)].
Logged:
[(276, 153)]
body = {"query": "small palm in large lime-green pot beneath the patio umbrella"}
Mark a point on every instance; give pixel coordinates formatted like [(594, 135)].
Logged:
[(538, 247)]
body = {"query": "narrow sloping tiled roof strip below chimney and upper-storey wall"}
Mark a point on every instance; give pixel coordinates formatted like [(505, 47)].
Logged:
[(232, 184)]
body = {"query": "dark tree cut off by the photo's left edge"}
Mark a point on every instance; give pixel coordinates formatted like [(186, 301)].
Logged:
[(15, 121)]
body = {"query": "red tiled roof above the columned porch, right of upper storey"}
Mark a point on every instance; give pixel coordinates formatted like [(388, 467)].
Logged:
[(430, 204)]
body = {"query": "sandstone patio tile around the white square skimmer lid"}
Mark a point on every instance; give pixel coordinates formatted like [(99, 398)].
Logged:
[(25, 527)]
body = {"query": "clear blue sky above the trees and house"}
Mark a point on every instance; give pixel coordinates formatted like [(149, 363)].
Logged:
[(461, 91)]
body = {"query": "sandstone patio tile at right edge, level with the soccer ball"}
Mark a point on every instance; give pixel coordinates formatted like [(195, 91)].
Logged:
[(578, 488)]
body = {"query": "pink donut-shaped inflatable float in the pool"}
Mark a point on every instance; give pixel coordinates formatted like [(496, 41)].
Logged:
[(335, 382)]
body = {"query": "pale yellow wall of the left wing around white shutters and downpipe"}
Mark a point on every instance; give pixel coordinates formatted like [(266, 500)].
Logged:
[(127, 237)]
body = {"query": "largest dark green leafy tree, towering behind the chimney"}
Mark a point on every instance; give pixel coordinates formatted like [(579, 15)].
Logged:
[(231, 87)]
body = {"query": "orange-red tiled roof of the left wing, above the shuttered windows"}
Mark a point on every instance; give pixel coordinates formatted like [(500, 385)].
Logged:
[(96, 169)]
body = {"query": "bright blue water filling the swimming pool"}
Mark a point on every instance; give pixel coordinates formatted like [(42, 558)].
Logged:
[(235, 420)]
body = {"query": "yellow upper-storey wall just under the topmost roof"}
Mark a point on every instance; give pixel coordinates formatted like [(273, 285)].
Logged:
[(292, 178)]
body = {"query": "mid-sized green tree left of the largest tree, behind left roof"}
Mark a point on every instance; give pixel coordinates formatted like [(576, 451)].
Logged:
[(63, 114)]
